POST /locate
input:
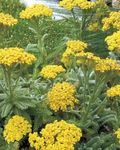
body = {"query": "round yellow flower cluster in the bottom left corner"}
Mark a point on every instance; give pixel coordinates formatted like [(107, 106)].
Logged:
[(16, 128)]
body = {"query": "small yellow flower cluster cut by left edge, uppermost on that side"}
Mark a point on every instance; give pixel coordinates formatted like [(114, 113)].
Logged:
[(7, 20)]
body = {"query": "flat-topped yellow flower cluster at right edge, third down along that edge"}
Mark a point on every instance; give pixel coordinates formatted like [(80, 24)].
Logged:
[(105, 65)]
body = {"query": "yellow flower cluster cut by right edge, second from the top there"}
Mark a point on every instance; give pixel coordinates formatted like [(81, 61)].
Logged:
[(113, 41)]
